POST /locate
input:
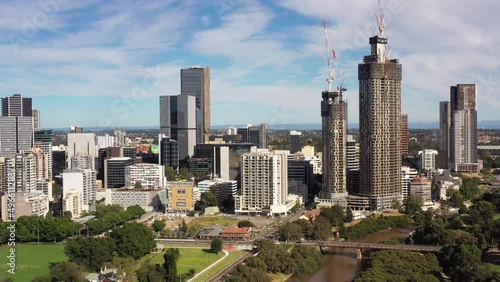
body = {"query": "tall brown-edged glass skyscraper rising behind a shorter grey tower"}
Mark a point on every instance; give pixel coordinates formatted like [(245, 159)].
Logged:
[(195, 81)]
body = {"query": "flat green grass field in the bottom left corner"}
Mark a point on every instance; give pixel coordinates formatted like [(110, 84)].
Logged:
[(31, 260)]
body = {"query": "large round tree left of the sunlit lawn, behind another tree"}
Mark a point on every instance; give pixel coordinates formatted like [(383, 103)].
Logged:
[(133, 240)]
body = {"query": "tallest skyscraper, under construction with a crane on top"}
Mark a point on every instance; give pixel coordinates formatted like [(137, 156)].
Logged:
[(380, 125)]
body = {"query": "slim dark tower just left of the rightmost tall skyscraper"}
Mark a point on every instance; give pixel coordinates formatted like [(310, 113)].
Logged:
[(444, 134)]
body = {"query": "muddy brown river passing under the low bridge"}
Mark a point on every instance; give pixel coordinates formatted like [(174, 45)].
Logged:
[(342, 265)]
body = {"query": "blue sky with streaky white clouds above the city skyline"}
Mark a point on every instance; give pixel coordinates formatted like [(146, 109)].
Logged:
[(104, 63)]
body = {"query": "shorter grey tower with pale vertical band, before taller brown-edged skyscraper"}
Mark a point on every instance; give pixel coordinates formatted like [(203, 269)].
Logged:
[(178, 121)]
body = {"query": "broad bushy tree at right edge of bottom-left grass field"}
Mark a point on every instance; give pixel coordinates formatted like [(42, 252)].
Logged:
[(89, 252)]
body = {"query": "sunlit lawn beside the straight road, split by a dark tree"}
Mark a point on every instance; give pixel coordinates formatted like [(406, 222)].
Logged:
[(193, 257)]
